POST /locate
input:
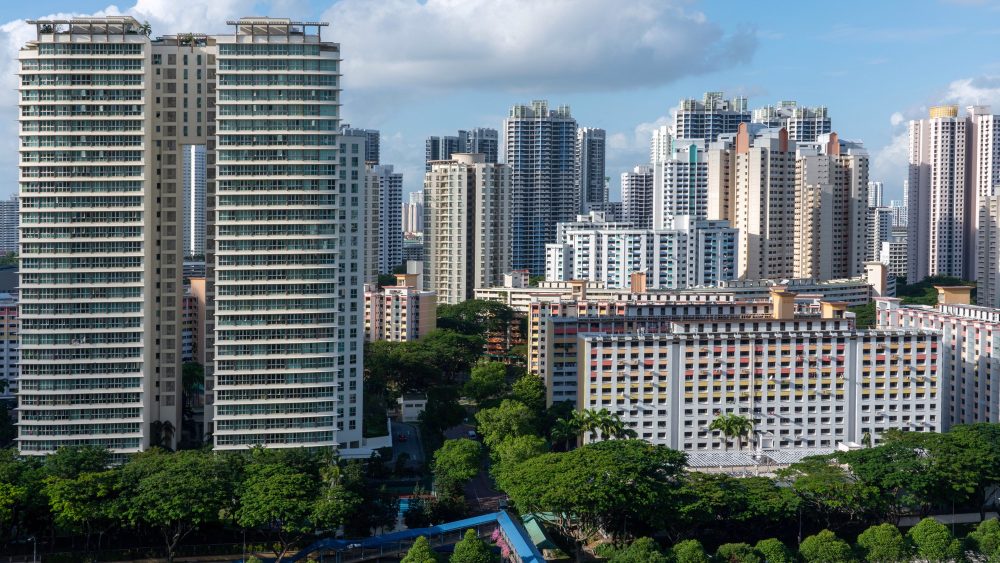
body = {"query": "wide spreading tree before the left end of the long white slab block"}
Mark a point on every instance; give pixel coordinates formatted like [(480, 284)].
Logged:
[(613, 486)]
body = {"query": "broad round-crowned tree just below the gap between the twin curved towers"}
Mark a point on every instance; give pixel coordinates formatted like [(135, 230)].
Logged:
[(174, 493)]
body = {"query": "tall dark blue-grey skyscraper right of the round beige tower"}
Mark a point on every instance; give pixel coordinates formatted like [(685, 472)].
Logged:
[(539, 146)]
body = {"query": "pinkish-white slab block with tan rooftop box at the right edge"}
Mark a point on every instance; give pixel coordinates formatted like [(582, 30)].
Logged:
[(970, 342)]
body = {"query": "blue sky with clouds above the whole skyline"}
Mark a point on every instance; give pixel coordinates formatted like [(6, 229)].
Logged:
[(414, 69)]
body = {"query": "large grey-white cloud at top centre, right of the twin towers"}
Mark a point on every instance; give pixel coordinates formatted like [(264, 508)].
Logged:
[(521, 45)]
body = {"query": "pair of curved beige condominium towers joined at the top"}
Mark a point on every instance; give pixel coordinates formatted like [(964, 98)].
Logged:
[(106, 112)]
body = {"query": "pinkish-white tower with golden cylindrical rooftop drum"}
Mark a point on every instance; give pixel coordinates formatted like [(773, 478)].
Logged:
[(938, 196)]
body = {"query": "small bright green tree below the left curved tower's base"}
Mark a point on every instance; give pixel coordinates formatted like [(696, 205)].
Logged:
[(83, 504)]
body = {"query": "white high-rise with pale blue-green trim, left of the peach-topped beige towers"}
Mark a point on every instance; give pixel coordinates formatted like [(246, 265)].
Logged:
[(680, 184)]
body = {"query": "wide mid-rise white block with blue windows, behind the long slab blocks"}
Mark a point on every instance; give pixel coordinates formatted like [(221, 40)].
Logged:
[(695, 253)]
